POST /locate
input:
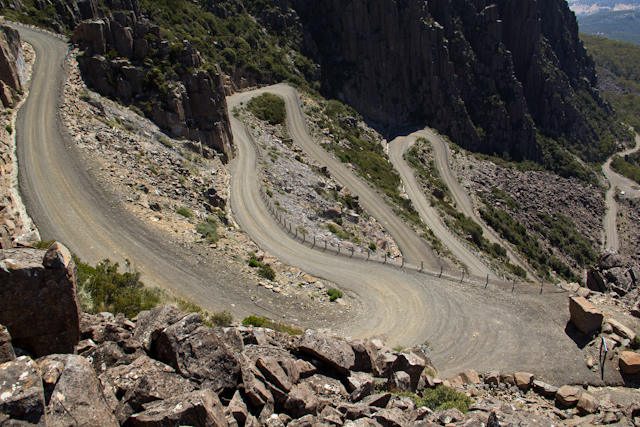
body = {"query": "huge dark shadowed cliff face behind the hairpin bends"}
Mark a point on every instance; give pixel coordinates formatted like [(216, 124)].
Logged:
[(488, 74)]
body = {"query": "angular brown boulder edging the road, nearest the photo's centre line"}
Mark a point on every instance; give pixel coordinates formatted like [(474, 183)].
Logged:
[(335, 352)]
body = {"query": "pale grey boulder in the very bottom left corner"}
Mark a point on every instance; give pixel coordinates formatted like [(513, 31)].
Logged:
[(21, 394)]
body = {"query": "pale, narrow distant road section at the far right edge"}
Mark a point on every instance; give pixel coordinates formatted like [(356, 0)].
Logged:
[(632, 190)]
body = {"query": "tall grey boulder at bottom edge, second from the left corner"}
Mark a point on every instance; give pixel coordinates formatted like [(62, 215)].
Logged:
[(77, 397)]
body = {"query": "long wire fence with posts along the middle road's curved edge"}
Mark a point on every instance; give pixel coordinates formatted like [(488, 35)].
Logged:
[(349, 251)]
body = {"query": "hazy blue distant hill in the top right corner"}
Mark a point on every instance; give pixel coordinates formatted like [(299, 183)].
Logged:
[(622, 25)]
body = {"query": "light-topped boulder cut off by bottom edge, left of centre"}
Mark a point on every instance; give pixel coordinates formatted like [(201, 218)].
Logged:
[(200, 408)]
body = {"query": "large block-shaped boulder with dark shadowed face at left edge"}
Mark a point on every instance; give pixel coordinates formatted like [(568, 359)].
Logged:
[(38, 302)]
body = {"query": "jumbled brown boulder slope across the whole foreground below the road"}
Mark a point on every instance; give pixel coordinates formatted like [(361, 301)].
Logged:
[(164, 367)]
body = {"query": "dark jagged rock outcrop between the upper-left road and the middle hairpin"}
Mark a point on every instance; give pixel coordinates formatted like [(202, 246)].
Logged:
[(121, 56)]
